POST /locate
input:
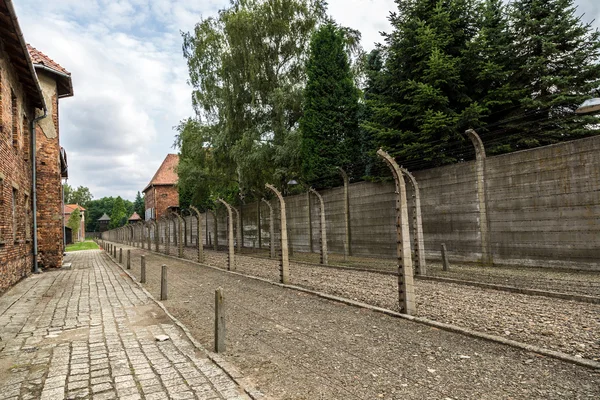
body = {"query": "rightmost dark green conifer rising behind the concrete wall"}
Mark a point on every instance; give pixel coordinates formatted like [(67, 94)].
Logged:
[(557, 68)]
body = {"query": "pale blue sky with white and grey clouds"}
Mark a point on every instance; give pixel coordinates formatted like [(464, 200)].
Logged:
[(129, 76)]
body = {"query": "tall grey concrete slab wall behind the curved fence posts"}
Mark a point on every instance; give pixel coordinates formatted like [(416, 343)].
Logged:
[(543, 209)]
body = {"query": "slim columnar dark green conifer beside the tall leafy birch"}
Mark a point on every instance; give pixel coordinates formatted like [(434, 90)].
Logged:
[(329, 125)]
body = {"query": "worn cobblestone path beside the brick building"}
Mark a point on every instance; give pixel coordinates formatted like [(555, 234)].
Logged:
[(89, 333)]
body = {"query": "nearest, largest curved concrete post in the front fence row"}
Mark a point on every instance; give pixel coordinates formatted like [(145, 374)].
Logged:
[(406, 290)]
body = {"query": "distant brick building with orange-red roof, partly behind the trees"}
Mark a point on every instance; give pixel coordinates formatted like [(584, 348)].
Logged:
[(161, 193)]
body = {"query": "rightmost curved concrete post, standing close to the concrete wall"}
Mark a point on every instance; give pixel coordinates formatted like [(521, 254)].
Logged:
[(484, 222)]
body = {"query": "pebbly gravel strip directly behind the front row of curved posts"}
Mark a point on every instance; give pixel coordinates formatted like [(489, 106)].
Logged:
[(562, 325)]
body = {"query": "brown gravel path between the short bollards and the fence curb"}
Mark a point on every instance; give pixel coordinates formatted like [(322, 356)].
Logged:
[(297, 346)]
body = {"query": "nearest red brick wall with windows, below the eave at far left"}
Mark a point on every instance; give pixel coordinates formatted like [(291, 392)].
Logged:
[(16, 249)]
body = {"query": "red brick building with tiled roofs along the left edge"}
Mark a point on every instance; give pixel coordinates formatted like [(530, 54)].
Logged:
[(25, 101)]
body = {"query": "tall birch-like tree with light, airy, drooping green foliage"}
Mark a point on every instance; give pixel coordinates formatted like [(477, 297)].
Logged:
[(246, 67)]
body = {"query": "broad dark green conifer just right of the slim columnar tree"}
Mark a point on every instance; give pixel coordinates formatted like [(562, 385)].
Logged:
[(422, 102)]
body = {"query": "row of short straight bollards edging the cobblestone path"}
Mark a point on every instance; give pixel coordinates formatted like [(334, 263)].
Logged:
[(219, 341)]
